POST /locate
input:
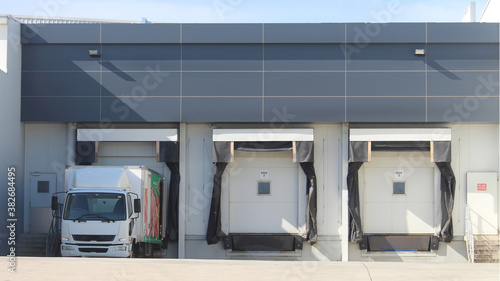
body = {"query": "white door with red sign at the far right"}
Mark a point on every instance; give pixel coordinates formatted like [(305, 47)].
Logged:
[(482, 197)]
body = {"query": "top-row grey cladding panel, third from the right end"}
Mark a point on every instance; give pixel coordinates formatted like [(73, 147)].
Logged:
[(304, 33)]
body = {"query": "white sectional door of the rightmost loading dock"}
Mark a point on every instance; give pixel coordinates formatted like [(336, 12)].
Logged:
[(384, 211)]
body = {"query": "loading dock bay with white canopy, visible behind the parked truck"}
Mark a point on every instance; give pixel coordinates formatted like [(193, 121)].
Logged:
[(153, 148)]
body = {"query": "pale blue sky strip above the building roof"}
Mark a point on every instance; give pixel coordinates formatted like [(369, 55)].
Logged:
[(247, 11)]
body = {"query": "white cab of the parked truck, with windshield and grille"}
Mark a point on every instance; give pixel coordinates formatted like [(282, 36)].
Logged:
[(98, 223)]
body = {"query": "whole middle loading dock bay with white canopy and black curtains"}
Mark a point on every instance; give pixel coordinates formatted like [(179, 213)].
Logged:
[(264, 195)]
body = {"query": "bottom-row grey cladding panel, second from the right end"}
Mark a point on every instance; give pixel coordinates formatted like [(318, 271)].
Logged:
[(394, 109)]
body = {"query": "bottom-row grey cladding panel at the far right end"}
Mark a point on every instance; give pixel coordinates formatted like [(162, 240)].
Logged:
[(462, 109)]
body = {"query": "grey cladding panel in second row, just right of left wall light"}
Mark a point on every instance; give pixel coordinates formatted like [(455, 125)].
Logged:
[(141, 57)]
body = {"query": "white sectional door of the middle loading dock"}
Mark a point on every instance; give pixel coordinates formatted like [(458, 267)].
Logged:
[(274, 211)]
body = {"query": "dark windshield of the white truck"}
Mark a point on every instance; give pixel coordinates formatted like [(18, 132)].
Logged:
[(95, 206)]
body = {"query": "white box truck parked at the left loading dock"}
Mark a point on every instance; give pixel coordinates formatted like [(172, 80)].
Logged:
[(112, 211)]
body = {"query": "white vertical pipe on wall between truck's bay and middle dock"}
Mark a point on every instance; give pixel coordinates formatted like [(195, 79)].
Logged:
[(182, 191)]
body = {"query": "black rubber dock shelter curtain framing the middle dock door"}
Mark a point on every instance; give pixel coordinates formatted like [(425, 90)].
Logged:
[(222, 153)]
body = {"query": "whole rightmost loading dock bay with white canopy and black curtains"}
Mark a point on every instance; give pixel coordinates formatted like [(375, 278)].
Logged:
[(395, 179)]
